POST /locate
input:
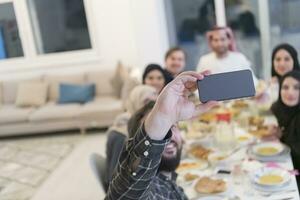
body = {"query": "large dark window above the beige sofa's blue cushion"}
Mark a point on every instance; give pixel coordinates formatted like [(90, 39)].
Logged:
[(59, 25)]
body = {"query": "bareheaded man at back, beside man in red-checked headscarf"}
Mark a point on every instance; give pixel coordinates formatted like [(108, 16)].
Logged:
[(175, 59)]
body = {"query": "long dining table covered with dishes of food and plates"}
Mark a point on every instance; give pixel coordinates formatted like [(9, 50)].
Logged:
[(235, 140)]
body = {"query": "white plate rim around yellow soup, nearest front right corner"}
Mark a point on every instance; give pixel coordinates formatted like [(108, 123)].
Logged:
[(255, 177)]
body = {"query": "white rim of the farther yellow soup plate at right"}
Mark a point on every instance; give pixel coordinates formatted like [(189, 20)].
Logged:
[(274, 145)]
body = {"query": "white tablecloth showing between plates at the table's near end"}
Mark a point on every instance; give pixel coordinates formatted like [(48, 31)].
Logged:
[(245, 190)]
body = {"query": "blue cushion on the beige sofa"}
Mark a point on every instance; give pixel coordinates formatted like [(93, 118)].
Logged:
[(73, 93)]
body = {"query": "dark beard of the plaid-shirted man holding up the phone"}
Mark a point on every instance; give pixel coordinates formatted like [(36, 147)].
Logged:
[(170, 164)]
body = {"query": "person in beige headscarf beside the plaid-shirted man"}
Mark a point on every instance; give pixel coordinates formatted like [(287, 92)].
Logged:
[(117, 133)]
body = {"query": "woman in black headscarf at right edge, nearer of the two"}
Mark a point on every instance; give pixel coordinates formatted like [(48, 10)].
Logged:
[(287, 111)]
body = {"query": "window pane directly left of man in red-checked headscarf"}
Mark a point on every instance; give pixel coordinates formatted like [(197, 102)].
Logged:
[(192, 19)]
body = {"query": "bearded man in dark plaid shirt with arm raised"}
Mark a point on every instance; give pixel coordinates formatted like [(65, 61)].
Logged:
[(148, 161)]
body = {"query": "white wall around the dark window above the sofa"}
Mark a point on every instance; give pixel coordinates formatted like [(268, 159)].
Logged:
[(133, 31)]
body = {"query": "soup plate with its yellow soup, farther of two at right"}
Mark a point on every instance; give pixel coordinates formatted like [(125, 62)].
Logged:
[(268, 149)]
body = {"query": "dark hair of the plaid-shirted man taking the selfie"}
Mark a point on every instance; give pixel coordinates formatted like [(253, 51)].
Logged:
[(135, 120)]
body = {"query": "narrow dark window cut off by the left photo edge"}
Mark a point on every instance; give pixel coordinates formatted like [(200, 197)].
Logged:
[(10, 43)]
